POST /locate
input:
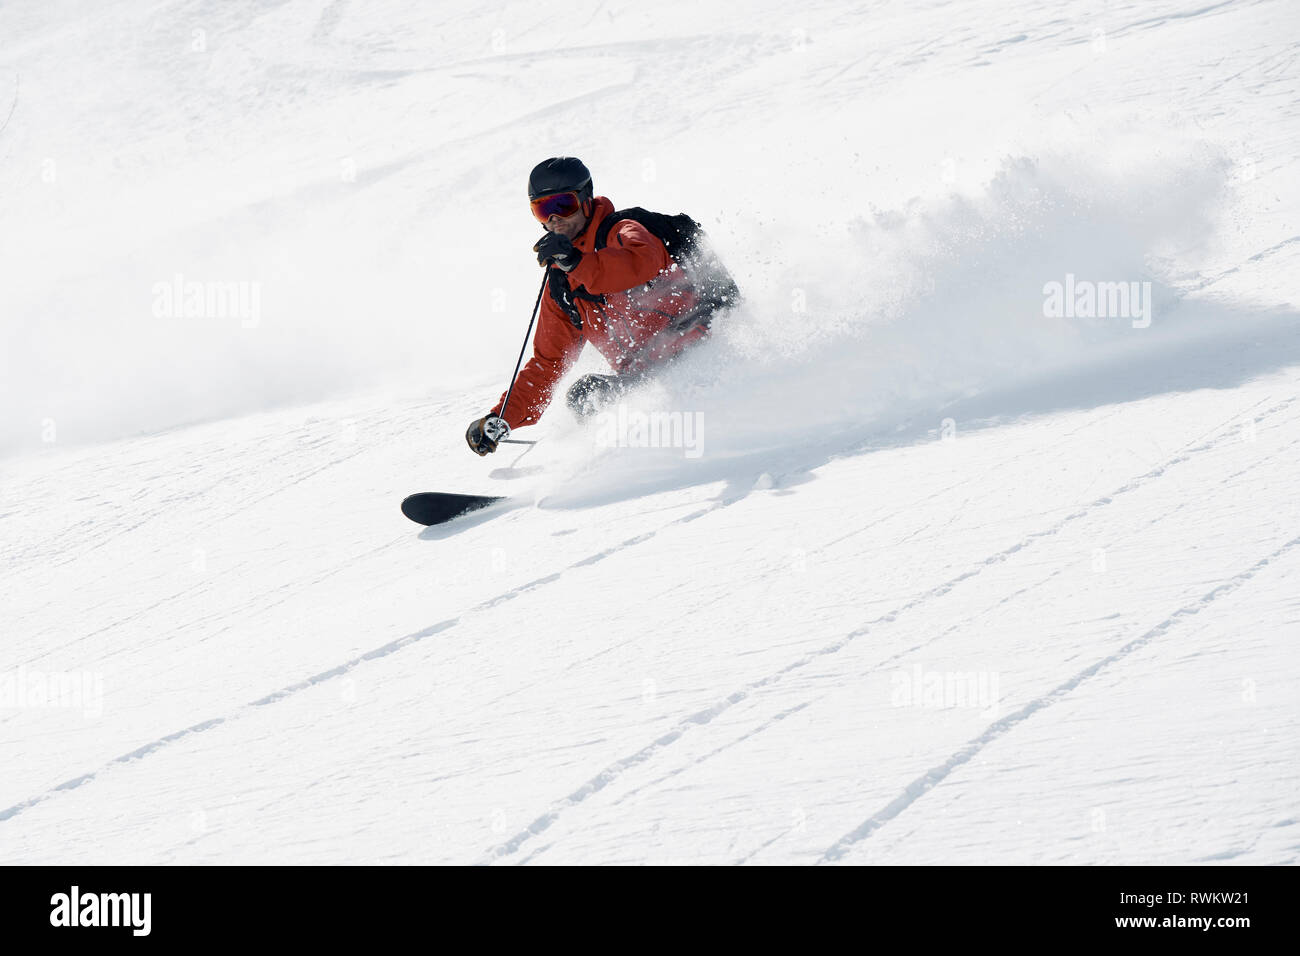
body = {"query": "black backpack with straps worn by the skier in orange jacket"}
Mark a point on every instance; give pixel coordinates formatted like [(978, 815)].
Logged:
[(684, 239)]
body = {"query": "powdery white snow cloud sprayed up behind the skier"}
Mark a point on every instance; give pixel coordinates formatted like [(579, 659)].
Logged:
[(856, 330)]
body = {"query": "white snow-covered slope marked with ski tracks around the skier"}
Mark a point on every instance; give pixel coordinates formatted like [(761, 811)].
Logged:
[(946, 581)]
